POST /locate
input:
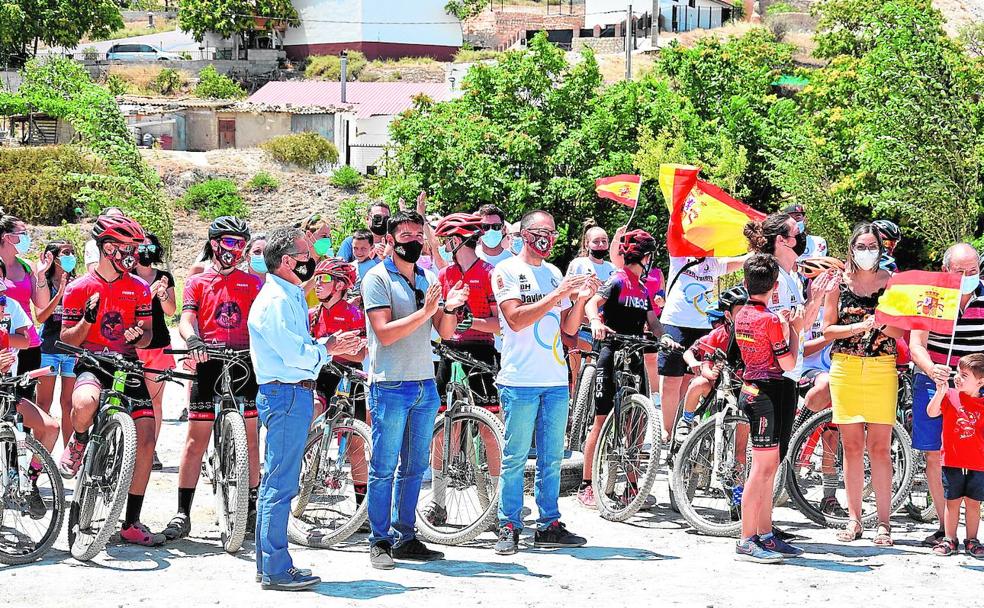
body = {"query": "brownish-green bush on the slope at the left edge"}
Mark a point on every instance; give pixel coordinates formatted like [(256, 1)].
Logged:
[(33, 186)]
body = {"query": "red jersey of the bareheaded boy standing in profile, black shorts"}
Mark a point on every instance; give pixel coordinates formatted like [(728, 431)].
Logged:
[(761, 341)]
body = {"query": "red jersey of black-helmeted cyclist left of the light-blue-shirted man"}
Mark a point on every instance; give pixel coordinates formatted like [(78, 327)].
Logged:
[(221, 303)]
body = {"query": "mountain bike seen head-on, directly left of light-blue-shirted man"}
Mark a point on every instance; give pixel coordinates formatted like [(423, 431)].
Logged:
[(226, 463)]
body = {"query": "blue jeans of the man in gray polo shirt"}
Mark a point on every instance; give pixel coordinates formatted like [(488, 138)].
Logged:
[(403, 416)]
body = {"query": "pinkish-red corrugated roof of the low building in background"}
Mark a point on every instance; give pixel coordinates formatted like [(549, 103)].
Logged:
[(365, 98)]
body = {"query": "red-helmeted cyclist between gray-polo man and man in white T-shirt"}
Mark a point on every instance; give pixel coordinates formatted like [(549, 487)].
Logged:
[(478, 322)]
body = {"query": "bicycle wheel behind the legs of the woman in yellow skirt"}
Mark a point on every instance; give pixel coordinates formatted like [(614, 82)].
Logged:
[(809, 457)]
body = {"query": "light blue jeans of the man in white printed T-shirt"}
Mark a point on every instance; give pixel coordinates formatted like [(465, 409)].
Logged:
[(529, 409)]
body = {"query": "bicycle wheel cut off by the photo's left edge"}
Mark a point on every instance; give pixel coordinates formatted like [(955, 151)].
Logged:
[(23, 538)]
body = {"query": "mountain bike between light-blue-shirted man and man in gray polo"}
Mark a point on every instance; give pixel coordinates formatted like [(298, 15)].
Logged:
[(329, 506)]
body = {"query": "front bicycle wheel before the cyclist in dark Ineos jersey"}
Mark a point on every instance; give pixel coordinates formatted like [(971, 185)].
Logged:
[(624, 466)]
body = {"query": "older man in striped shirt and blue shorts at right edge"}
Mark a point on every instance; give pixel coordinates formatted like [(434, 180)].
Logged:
[(936, 361)]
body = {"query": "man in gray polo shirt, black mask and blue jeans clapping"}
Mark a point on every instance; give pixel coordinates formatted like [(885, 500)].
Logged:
[(402, 302)]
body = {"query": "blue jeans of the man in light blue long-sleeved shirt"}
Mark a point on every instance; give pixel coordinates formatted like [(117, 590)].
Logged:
[(285, 410)]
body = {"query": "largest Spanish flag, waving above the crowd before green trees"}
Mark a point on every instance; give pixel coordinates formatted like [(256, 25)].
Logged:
[(704, 220)]
